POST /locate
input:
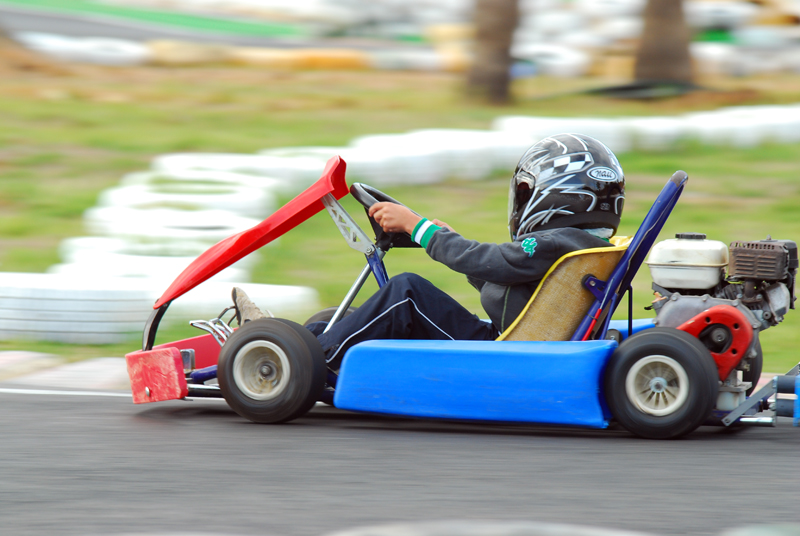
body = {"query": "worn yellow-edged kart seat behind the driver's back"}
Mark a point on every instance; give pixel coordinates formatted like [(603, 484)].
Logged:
[(561, 301)]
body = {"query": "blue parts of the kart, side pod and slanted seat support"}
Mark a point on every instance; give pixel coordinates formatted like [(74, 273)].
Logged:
[(536, 382)]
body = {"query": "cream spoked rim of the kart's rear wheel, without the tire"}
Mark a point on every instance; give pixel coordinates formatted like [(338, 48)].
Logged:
[(657, 385)]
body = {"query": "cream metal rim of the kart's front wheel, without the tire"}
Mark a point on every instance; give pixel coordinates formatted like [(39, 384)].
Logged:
[(261, 370)]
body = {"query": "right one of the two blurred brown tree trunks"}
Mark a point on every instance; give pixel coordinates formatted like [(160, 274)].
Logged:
[(663, 54)]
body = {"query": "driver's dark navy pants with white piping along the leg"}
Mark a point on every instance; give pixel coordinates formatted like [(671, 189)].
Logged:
[(407, 307)]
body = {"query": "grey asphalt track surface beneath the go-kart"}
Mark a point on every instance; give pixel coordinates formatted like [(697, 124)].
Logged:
[(80, 464)]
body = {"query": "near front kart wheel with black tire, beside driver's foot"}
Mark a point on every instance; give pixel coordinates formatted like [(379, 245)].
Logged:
[(269, 372)]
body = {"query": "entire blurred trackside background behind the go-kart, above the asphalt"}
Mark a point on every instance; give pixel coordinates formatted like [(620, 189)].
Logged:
[(137, 133)]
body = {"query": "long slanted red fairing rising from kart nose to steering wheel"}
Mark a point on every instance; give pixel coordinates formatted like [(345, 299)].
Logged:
[(286, 218)]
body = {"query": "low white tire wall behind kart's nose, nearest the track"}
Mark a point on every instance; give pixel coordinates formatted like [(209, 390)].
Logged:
[(80, 308)]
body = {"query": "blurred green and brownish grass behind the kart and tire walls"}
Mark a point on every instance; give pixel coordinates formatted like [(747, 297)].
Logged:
[(64, 139)]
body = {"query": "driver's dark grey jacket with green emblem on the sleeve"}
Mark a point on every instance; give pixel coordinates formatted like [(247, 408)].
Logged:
[(507, 274)]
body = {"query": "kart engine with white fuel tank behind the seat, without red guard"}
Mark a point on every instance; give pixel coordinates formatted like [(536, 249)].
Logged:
[(691, 275)]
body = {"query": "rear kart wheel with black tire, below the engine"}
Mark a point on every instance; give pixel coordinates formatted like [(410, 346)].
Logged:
[(661, 383)]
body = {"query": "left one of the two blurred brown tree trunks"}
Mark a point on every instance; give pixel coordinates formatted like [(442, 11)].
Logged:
[(489, 76)]
